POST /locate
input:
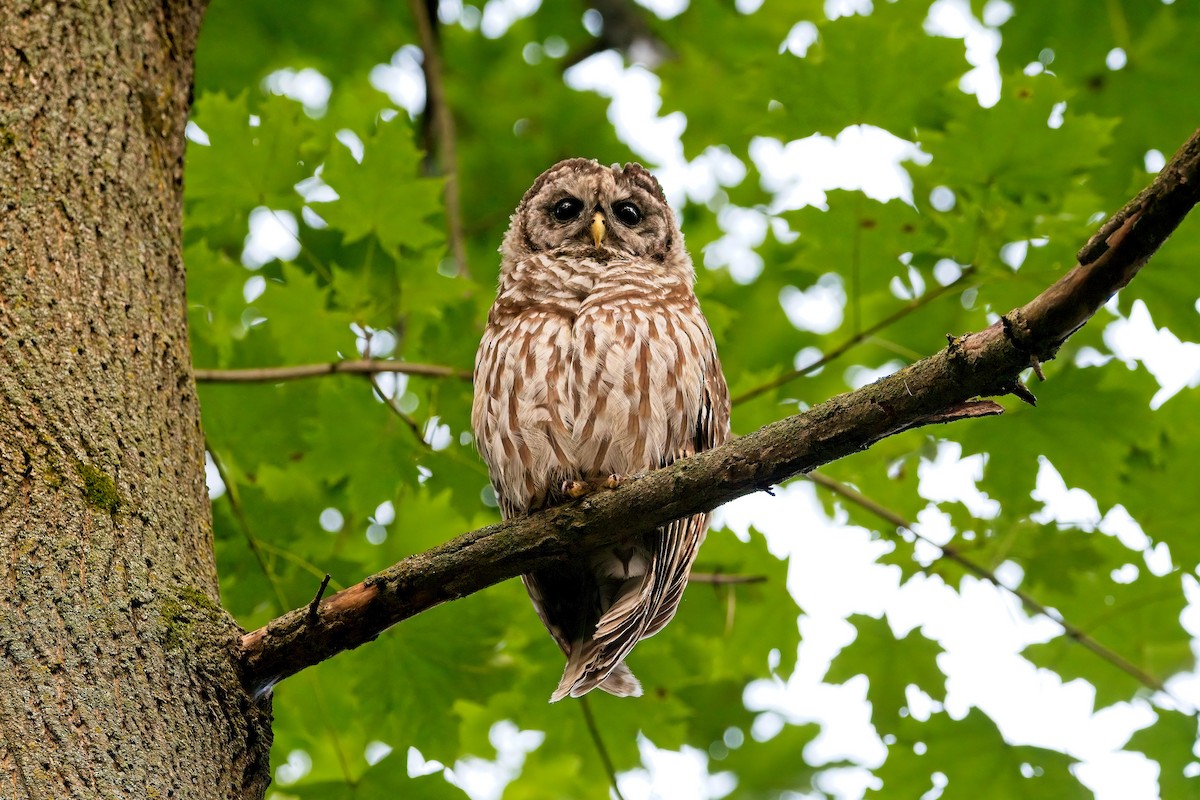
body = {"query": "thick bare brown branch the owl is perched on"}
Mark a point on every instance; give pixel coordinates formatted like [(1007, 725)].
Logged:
[(937, 389)]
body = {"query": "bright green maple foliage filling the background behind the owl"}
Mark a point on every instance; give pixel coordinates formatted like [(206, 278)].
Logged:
[(337, 476)]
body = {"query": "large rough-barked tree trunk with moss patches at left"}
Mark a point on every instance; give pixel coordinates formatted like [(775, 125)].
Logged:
[(117, 676)]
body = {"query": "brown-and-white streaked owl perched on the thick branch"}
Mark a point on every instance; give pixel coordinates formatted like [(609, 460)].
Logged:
[(597, 364)]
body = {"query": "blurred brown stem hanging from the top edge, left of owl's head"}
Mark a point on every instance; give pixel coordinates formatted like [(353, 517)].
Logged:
[(443, 128)]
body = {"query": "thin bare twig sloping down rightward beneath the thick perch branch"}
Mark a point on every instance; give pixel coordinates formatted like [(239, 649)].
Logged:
[(952, 555)]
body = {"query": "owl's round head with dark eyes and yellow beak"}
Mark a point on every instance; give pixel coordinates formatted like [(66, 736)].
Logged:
[(581, 209)]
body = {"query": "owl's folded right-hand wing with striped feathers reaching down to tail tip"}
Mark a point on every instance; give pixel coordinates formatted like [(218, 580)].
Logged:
[(645, 610)]
